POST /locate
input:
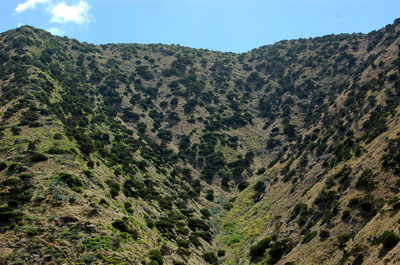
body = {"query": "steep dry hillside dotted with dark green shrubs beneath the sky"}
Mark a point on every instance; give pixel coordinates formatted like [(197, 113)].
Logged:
[(163, 154)]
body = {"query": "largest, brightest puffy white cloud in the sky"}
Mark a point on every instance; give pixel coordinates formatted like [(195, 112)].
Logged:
[(63, 13)]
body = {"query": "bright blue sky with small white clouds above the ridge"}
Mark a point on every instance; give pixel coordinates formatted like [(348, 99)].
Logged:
[(223, 25)]
